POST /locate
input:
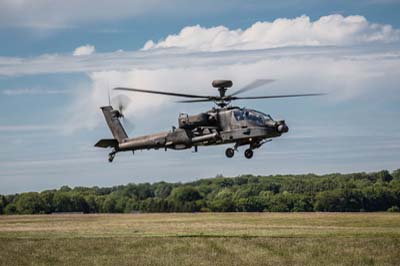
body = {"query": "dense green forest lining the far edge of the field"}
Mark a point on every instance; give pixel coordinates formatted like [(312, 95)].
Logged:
[(355, 192)]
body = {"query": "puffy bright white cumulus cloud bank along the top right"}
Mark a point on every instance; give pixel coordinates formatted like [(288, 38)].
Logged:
[(300, 31)]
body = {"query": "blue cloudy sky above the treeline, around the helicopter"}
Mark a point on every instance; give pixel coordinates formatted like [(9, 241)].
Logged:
[(59, 59)]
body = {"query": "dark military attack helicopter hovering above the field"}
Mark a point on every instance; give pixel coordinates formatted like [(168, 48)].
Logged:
[(223, 124)]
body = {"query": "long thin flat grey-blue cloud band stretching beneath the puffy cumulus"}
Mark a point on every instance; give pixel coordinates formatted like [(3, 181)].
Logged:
[(171, 58)]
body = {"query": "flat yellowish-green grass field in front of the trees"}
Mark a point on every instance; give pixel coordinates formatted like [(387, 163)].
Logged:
[(201, 239)]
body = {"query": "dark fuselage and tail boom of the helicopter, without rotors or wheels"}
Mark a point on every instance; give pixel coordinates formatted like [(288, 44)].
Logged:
[(218, 126)]
